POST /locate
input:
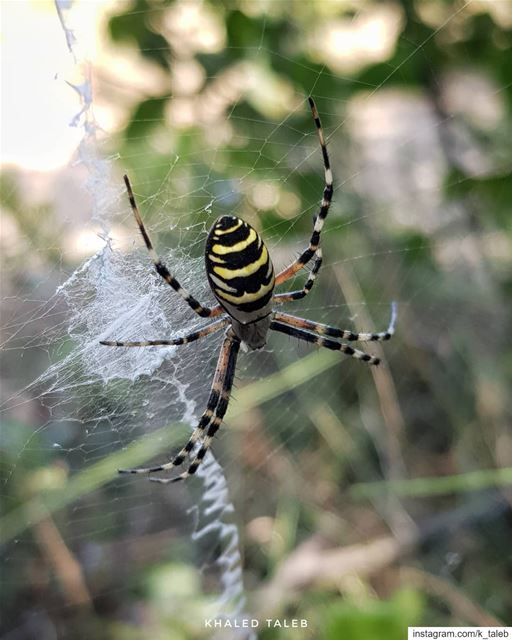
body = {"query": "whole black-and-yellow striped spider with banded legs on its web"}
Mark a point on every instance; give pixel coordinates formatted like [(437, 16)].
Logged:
[(241, 276)]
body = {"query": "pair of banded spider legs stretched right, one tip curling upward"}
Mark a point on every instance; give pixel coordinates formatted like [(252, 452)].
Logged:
[(316, 333)]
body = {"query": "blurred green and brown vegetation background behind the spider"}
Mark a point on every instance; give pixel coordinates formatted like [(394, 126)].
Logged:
[(366, 500)]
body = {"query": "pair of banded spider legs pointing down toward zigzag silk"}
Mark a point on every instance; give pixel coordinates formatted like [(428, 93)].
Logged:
[(211, 418)]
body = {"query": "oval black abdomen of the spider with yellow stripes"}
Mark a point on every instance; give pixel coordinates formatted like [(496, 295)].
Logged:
[(239, 269)]
